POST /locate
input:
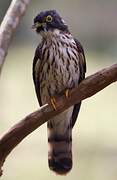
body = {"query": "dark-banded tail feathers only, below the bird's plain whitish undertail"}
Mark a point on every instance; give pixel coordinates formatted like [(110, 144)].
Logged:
[(60, 150)]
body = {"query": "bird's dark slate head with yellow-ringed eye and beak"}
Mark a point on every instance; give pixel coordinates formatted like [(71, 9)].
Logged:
[(48, 21)]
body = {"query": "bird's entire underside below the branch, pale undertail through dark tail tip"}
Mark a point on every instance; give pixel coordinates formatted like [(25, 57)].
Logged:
[(60, 142)]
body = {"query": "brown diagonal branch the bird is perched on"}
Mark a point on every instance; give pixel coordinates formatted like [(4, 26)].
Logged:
[(87, 88)]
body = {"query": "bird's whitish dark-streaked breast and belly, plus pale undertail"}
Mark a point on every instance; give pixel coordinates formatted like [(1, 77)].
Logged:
[(61, 121)]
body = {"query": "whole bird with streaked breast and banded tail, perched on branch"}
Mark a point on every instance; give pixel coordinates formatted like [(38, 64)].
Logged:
[(59, 65)]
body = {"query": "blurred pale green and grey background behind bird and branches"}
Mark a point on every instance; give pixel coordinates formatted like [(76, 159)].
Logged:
[(95, 134)]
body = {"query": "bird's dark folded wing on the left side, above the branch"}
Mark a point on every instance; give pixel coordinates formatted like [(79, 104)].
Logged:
[(36, 62)]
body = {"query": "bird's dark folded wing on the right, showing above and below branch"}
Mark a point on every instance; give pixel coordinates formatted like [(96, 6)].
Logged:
[(82, 66)]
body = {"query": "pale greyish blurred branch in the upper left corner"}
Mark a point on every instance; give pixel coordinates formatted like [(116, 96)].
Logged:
[(9, 25)]
